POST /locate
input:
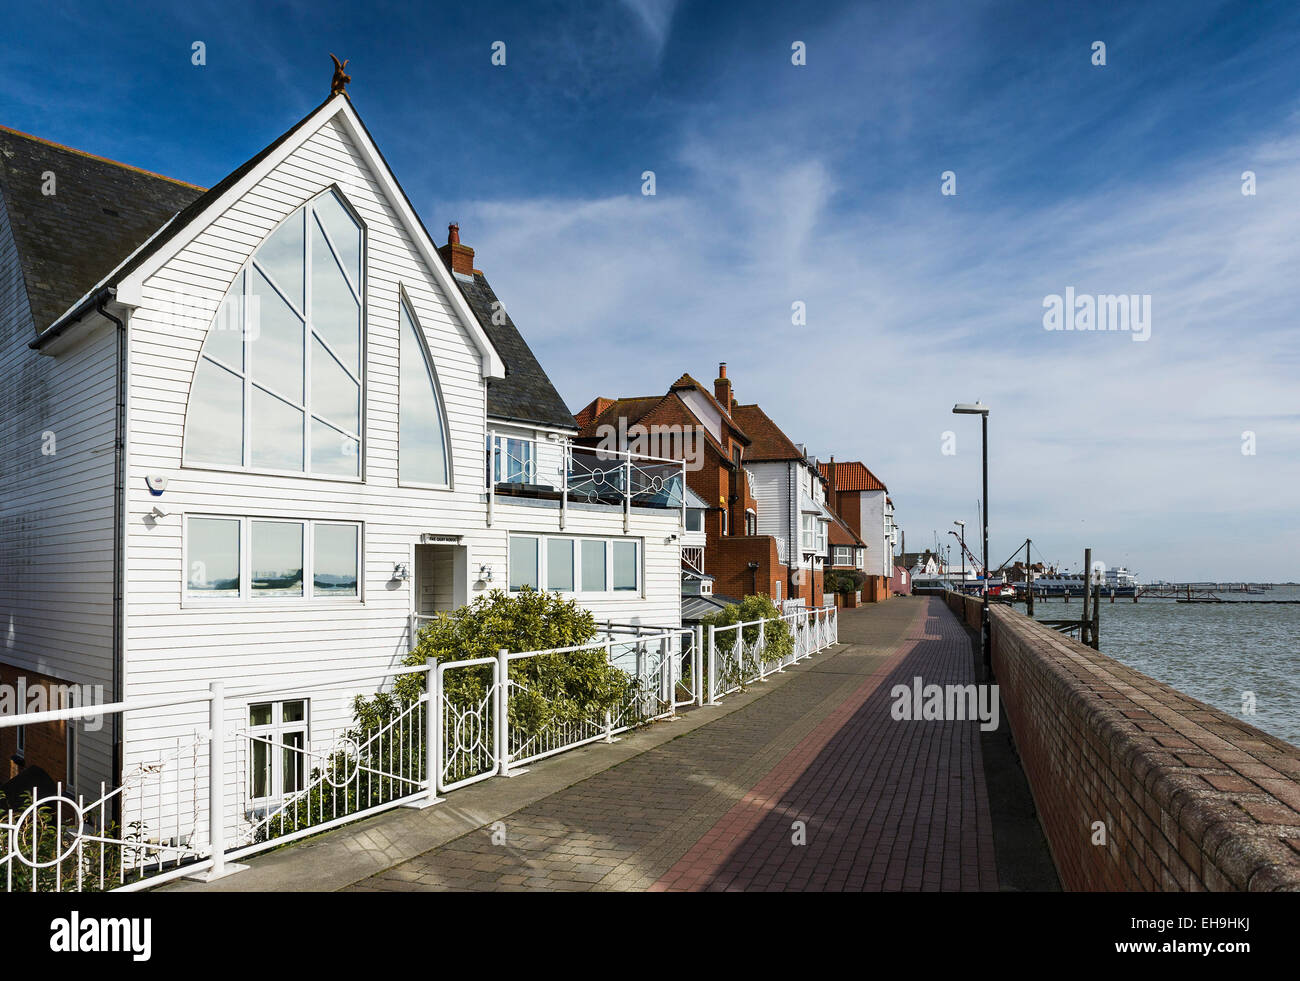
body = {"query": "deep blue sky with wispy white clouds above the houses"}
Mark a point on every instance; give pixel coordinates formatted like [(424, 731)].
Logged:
[(821, 184)]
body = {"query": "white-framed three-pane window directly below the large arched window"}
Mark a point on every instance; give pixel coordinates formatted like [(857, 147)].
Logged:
[(246, 600)]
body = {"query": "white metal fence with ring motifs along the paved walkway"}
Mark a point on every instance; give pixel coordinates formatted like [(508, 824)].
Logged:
[(232, 788)]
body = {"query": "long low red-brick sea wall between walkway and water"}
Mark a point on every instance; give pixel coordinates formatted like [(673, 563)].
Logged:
[(1191, 798)]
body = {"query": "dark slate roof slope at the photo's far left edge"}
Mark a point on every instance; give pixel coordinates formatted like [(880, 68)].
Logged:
[(101, 212)]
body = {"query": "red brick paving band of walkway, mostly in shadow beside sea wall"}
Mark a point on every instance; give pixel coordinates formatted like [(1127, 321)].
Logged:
[(887, 805)]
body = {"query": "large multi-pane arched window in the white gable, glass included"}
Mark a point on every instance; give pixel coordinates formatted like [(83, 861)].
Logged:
[(279, 383)]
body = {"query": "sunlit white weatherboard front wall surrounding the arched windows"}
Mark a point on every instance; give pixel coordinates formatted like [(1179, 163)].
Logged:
[(177, 645)]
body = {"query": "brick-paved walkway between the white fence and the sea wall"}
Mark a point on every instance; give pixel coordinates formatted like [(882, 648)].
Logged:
[(883, 804)]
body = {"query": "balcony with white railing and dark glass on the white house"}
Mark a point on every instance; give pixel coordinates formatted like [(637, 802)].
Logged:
[(558, 471)]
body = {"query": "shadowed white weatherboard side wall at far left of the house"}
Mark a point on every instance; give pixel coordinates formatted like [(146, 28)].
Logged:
[(57, 519)]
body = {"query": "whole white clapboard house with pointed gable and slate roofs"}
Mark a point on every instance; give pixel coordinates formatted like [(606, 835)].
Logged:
[(253, 433)]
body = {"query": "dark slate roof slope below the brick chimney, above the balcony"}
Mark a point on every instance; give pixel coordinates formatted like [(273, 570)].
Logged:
[(526, 394)]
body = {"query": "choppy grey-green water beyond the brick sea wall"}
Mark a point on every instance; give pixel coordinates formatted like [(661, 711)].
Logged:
[(1219, 653)]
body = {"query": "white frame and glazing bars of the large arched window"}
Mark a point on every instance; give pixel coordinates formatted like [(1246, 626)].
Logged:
[(359, 292)]
